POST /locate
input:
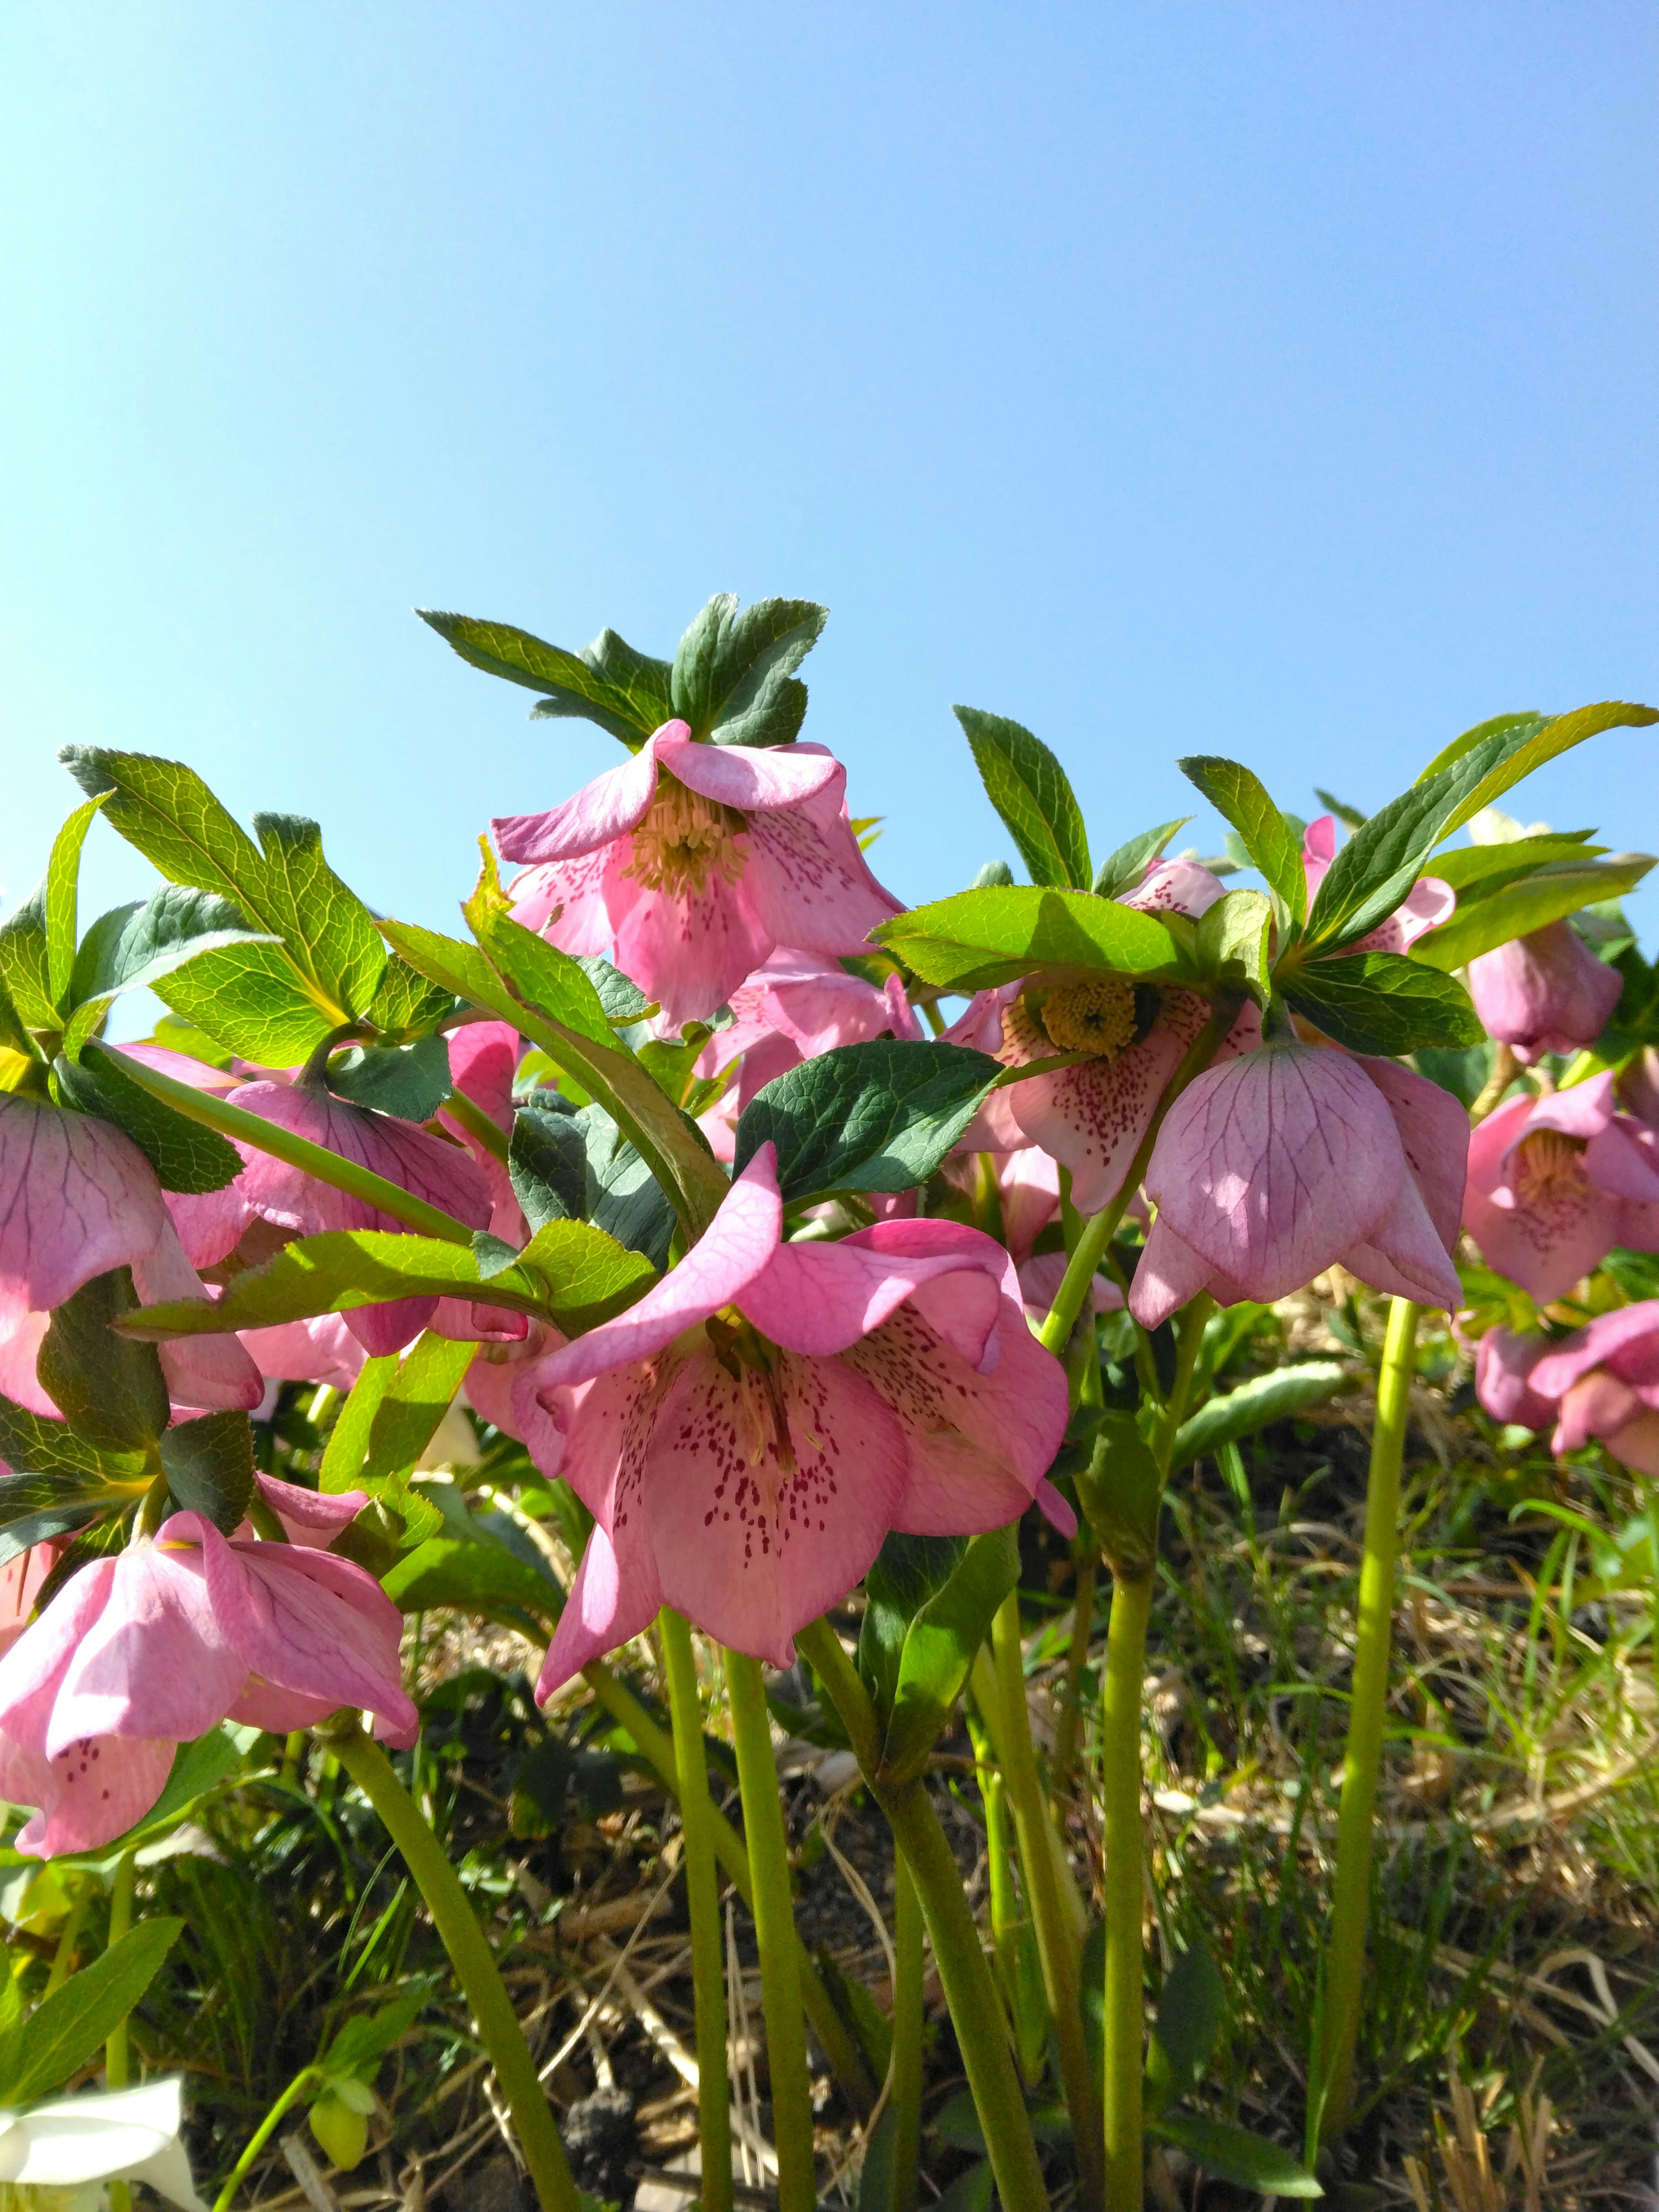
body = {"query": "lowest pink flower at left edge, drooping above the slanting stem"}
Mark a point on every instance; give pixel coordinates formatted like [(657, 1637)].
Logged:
[(163, 1642)]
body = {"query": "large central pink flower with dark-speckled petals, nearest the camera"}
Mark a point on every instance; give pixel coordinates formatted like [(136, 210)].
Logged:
[(751, 1432)]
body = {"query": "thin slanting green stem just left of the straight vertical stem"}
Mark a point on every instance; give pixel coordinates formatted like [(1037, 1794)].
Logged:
[(1056, 1945)]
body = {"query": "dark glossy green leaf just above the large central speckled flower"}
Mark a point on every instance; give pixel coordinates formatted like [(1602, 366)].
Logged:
[(866, 1116)]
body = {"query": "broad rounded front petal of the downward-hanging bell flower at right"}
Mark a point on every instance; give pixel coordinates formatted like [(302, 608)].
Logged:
[(1275, 1165)]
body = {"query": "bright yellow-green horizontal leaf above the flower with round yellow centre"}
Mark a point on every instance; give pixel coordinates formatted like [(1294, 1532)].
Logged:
[(992, 937)]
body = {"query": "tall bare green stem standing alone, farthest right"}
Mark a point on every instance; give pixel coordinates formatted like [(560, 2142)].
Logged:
[(1339, 2014)]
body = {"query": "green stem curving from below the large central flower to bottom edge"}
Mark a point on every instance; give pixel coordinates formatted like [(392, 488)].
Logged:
[(963, 1970)]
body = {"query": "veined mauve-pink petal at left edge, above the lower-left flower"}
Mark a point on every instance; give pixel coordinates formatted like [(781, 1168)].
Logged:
[(76, 1200)]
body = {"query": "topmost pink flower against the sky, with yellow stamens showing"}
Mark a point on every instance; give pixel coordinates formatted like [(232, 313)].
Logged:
[(698, 862)]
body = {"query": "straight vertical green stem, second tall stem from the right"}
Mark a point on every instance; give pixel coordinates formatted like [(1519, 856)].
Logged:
[(1120, 1806)]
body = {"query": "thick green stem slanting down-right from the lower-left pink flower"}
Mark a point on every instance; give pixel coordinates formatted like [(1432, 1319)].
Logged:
[(474, 1963)]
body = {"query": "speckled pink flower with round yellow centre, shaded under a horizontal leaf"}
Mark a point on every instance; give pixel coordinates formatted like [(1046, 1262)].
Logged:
[(1092, 1116)]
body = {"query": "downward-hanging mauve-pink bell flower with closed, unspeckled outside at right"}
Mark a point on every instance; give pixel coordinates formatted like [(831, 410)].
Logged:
[(1280, 1162)]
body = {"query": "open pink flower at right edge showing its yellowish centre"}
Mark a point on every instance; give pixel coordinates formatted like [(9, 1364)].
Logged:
[(1556, 1182)]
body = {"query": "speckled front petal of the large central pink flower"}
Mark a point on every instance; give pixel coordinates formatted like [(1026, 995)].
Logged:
[(769, 1496)]
